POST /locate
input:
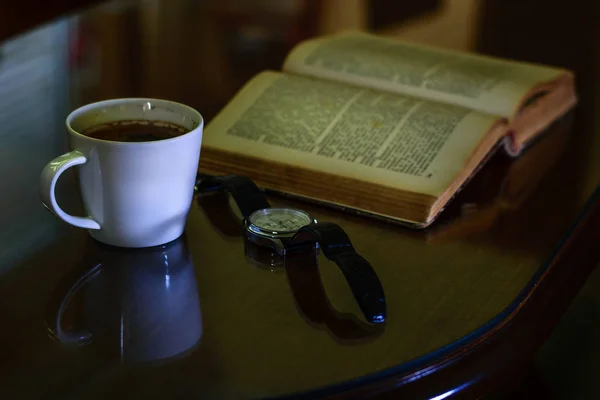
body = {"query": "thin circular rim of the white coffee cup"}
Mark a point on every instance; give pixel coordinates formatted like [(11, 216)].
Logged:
[(195, 116)]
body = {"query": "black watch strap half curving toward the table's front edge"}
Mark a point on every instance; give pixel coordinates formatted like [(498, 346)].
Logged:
[(359, 274)]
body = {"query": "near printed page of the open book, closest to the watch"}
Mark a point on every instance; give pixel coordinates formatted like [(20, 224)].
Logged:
[(379, 137)]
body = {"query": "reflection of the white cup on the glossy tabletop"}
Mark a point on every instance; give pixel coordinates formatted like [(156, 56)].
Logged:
[(142, 302)]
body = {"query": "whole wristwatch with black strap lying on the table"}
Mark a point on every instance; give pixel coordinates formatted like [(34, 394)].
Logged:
[(287, 229)]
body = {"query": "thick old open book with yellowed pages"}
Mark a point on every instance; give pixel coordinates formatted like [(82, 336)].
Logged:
[(381, 126)]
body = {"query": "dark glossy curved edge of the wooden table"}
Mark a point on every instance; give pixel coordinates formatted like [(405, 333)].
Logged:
[(463, 367)]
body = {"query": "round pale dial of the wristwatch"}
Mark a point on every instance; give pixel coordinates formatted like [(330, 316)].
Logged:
[(278, 221)]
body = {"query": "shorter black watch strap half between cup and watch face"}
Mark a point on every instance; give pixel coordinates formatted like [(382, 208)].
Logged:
[(247, 195)]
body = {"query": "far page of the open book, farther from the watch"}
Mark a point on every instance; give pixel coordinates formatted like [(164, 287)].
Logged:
[(486, 84)]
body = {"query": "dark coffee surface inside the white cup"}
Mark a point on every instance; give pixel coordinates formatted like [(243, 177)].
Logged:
[(135, 131)]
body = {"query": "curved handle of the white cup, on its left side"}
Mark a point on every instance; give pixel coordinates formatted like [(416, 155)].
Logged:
[(50, 175)]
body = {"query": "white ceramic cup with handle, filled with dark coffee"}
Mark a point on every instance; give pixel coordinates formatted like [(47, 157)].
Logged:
[(136, 194)]
